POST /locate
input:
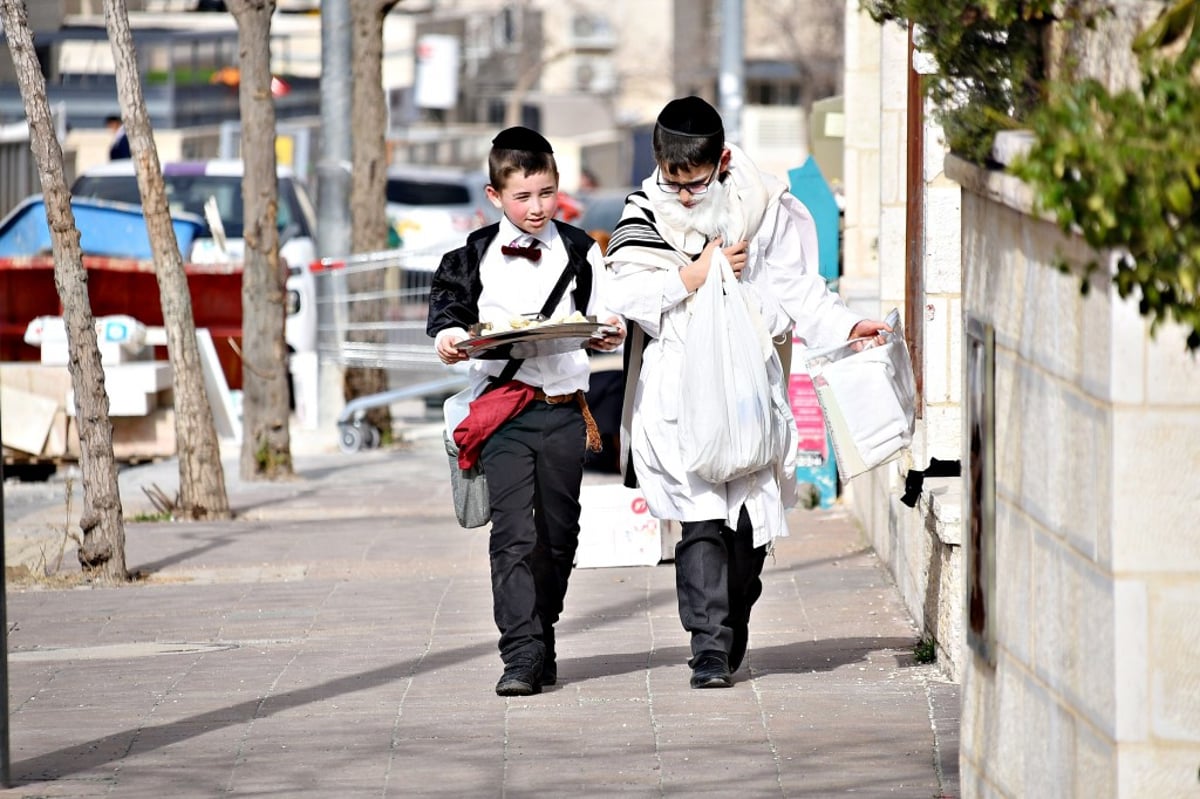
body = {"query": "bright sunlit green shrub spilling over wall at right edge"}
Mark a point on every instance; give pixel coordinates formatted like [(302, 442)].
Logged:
[(1124, 171)]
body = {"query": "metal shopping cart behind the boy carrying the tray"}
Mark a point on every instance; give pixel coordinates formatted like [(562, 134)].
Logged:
[(373, 310)]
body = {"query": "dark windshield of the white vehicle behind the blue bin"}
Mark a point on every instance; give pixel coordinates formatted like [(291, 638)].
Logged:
[(189, 194)]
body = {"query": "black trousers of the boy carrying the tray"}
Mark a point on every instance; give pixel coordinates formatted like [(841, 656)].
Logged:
[(535, 467)]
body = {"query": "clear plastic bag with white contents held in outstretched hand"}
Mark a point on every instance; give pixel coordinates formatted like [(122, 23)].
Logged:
[(868, 399)]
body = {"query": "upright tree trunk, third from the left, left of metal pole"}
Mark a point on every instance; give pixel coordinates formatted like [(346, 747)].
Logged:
[(266, 438)]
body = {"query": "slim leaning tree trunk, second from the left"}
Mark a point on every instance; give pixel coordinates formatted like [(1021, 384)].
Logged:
[(202, 491)]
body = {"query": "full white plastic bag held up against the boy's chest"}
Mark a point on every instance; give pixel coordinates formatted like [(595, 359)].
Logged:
[(728, 424)]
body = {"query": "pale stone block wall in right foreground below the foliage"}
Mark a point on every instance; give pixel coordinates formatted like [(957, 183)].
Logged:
[(1093, 687)]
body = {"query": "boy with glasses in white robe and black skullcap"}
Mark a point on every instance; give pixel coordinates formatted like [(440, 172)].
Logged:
[(705, 195)]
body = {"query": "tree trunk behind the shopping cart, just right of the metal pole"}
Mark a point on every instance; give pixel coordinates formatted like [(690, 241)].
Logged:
[(369, 187)]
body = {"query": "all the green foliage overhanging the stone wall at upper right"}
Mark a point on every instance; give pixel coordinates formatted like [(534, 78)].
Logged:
[(1120, 170)]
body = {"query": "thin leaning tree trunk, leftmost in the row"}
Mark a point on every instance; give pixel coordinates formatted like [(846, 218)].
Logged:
[(103, 548)]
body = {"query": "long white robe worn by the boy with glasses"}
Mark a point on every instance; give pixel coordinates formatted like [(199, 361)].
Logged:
[(782, 274)]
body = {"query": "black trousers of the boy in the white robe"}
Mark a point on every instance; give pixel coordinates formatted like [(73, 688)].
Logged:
[(718, 580)]
